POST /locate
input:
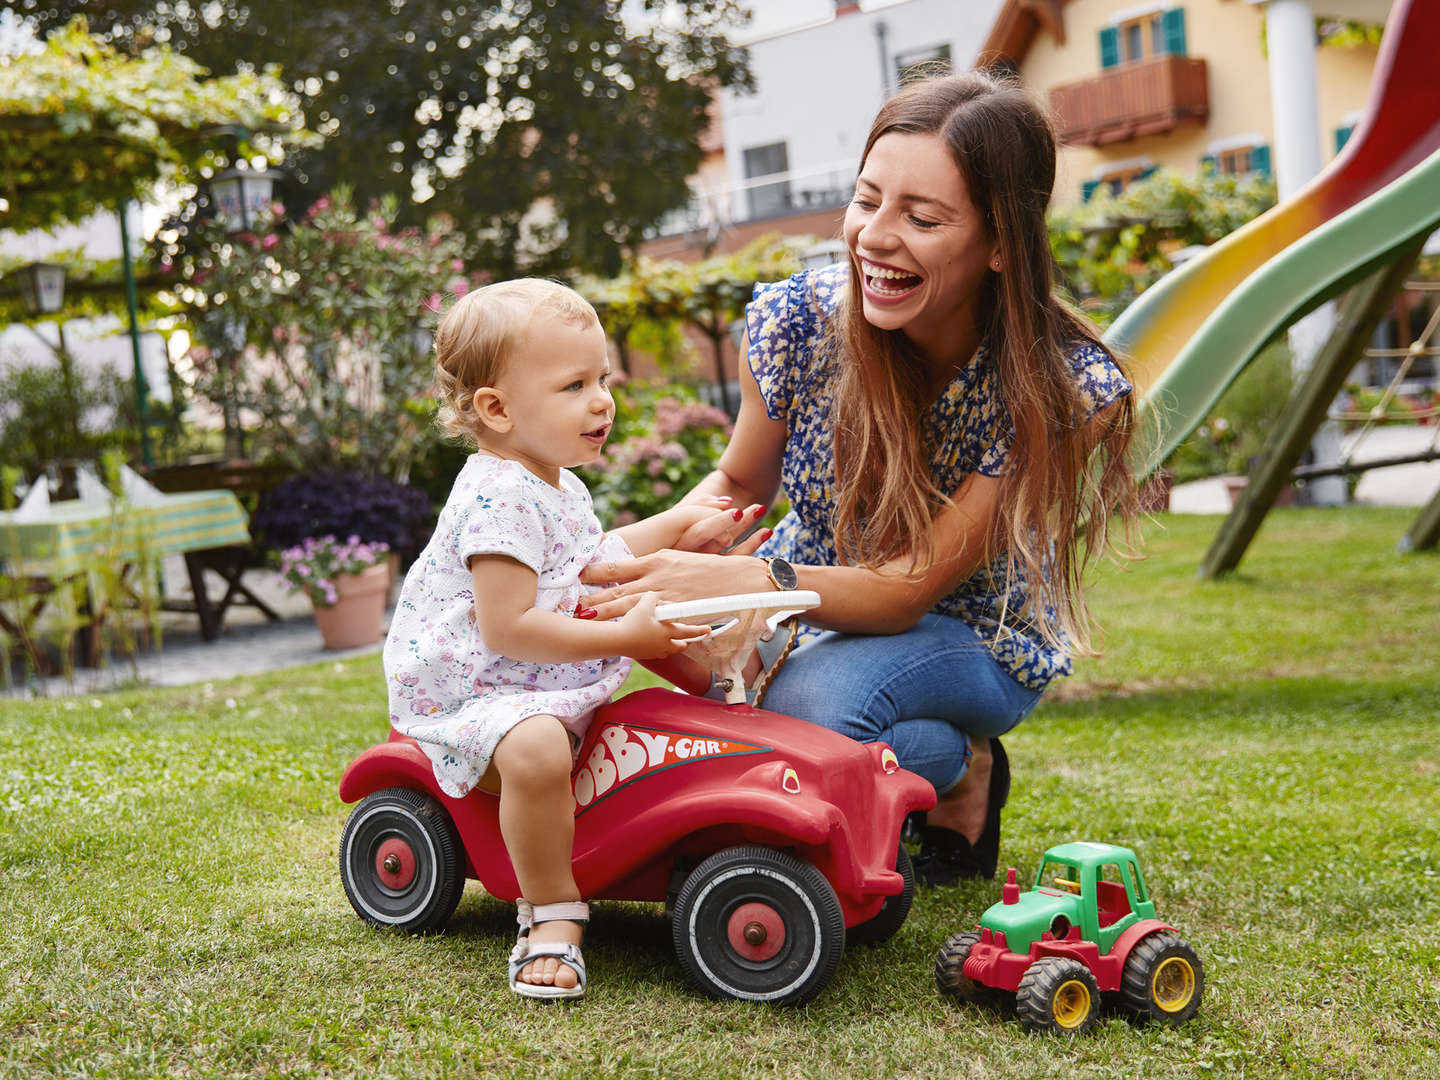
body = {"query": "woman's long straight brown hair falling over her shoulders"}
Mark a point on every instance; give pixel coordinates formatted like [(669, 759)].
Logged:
[(1065, 477)]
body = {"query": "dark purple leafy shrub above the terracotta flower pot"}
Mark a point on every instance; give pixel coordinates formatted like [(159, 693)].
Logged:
[(372, 509)]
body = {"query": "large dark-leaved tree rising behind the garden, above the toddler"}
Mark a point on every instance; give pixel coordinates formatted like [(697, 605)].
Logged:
[(552, 132)]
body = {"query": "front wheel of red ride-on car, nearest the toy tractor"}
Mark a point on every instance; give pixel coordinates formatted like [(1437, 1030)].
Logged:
[(787, 904)]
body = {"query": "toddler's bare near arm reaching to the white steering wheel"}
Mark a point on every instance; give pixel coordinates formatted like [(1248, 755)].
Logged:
[(512, 626)]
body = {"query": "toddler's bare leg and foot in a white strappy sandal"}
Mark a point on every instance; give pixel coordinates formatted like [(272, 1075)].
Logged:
[(538, 823)]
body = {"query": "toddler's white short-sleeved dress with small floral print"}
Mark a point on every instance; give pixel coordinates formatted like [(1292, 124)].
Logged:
[(449, 690)]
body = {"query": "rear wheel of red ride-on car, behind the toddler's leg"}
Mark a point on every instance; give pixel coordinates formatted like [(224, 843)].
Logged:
[(401, 862)]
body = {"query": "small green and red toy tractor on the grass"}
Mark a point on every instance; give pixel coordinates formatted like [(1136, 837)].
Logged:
[(1086, 928)]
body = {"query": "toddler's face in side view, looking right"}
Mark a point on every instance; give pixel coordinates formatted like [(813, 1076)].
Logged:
[(557, 384)]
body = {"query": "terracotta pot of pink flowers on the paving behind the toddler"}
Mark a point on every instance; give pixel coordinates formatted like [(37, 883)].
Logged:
[(348, 582)]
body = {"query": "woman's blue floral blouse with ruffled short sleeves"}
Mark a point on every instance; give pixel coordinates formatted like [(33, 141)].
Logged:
[(787, 325)]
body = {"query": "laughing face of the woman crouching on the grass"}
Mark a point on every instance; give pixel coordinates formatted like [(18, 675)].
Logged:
[(918, 243)]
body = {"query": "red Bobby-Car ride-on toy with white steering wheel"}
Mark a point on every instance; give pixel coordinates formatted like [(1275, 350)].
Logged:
[(768, 837)]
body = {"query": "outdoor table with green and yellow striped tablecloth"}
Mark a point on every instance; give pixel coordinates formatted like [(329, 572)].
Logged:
[(208, 528)]
